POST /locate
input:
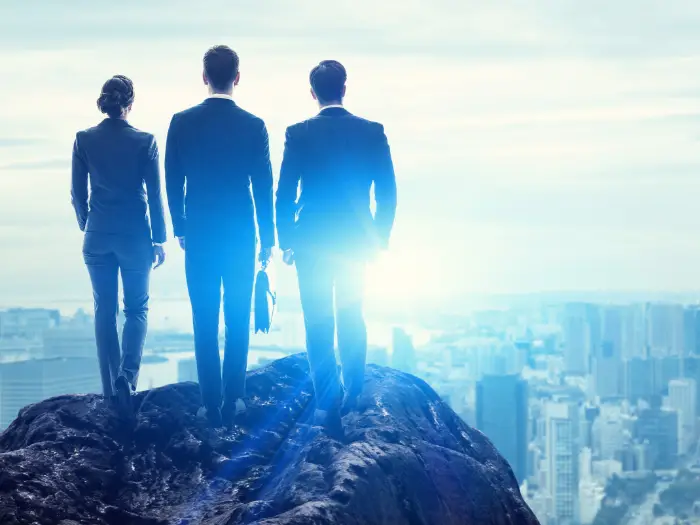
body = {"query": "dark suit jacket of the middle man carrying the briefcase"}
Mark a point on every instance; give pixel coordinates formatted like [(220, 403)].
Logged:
[(214, 152)]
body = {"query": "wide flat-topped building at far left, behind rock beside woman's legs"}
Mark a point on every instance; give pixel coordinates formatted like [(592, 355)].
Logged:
[(23, 383)]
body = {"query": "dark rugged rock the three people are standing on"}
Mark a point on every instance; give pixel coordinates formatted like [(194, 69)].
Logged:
[(408, 459)]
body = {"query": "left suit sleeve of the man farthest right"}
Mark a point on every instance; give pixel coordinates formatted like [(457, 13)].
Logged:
[(287, 188)]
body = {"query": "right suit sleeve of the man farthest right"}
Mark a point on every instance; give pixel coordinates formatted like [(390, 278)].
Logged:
[(384, 190)]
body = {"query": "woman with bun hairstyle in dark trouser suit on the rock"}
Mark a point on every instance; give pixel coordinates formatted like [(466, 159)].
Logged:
[(118, 160)]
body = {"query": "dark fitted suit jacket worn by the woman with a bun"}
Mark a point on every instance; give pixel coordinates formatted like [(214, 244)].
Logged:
[(117, 159)]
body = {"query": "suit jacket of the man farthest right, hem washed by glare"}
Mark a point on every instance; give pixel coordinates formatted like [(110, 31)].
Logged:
[(334, 159)]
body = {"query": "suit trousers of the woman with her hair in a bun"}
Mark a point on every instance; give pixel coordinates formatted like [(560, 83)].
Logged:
[(107, 255)]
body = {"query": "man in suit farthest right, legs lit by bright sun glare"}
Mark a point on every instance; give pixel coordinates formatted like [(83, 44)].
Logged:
[(329, 232)]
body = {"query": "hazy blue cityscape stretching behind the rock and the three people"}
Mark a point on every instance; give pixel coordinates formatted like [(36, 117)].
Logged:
[(595, 406)]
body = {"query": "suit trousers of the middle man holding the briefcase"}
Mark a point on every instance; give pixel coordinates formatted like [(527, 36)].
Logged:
[(209, 266)]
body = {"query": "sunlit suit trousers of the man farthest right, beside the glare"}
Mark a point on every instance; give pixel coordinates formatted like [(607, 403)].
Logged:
[(321, 277)]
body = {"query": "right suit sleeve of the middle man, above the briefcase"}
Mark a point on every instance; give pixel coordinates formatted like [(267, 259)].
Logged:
[(261, 179)]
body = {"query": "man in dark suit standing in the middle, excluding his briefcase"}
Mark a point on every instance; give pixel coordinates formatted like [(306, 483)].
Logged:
[(216, 149)]
